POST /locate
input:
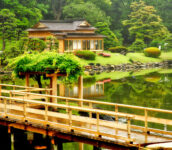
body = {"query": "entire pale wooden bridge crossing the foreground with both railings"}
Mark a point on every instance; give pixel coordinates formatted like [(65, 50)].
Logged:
[(110, 123)]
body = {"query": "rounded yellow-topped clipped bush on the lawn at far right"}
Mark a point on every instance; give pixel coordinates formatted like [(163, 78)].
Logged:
[(152, 52)]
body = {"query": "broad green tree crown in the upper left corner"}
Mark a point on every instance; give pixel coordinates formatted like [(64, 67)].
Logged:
[(28, 12)]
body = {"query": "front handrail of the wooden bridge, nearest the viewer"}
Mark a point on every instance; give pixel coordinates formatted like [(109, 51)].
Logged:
[(97, 121)]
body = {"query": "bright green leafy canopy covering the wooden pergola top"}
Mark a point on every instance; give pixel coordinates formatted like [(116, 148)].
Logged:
[(47, 62)]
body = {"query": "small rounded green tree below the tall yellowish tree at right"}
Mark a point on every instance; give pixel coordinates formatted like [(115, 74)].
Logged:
[(138, 45)]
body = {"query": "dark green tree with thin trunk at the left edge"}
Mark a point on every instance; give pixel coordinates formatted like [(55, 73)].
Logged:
[(7, 26)]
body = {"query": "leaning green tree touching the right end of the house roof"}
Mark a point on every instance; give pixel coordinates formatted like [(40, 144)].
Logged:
[(111, 39)]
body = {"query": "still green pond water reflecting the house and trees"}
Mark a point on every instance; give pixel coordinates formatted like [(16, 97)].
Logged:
[(148, 88)]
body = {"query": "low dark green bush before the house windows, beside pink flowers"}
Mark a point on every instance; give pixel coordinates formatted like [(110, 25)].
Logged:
[(89, 55)]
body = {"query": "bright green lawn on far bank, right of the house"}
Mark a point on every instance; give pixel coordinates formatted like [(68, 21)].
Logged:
[(117, 58)]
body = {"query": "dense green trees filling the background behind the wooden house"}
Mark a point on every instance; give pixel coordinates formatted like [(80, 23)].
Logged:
[(136, 24)]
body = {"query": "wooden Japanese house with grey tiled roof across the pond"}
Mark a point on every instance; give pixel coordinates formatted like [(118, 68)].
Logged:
[(72, 35)]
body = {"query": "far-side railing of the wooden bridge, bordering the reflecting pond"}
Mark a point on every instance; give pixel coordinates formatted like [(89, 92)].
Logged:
[(145, 116)]
